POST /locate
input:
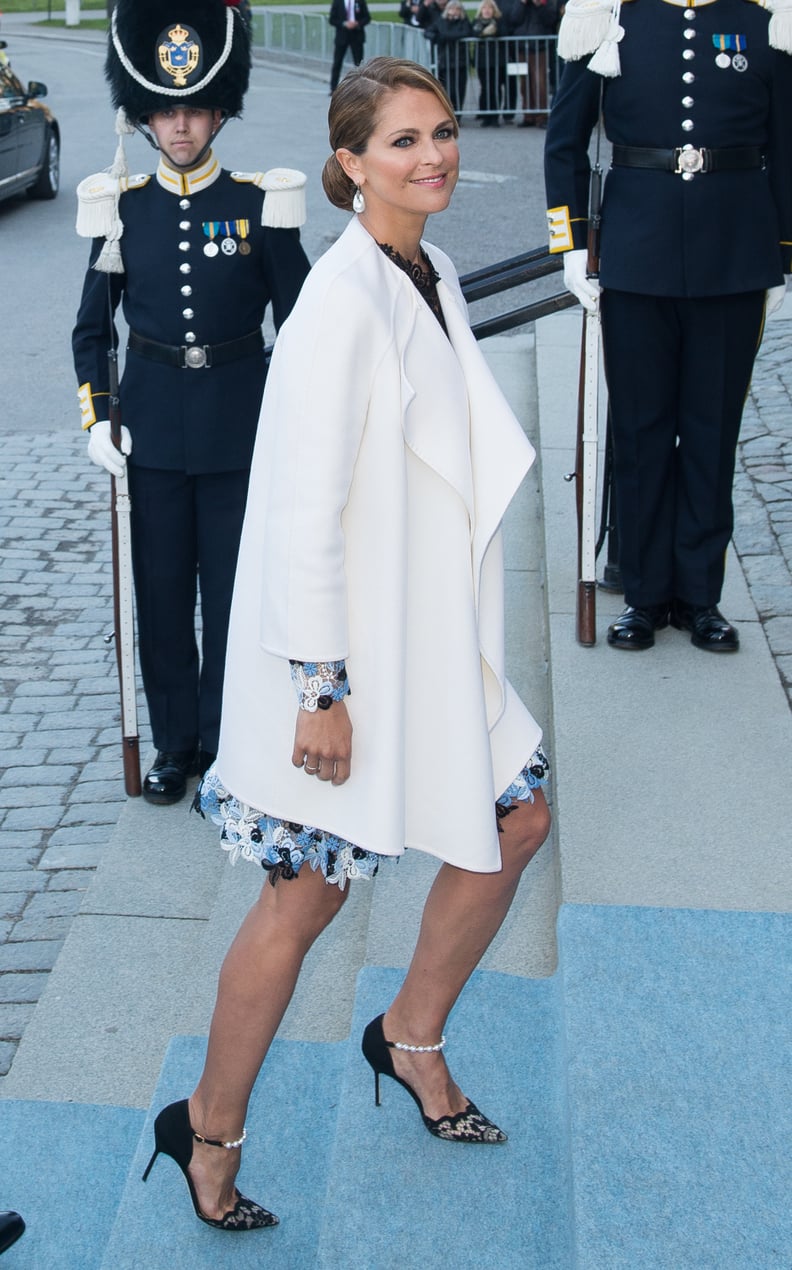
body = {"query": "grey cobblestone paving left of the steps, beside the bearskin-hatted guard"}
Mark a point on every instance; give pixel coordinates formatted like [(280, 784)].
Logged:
[(62, 780)]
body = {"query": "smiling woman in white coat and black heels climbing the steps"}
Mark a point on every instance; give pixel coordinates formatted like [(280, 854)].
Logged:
[(371, 581)]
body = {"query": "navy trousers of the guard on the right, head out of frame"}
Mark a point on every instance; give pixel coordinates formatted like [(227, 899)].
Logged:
[(678, 374)]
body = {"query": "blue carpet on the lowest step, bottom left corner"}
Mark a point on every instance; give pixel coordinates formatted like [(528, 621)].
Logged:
[(63, 1166)]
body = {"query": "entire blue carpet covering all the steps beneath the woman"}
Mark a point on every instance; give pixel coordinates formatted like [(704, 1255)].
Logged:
[(645, 1089)]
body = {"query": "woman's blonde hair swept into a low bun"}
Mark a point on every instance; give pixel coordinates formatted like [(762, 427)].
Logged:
[(355, 111)]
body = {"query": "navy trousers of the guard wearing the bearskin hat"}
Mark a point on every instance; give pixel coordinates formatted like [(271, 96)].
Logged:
[(186, 534)]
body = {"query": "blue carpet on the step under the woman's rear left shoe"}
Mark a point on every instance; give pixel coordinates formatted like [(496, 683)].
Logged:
[(285, 1166)]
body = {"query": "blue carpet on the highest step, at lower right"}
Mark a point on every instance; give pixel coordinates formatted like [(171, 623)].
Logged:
[(680, 1053)]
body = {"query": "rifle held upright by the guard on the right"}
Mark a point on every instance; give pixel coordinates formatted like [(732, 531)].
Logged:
[(587, 444)]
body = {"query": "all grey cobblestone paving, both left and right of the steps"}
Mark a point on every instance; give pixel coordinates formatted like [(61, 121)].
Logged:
[(62, 782)]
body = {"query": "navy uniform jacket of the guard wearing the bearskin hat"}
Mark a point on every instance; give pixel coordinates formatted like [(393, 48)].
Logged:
[(194, 421)]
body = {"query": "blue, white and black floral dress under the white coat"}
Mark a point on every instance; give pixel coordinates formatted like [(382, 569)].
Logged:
[(282, 848)]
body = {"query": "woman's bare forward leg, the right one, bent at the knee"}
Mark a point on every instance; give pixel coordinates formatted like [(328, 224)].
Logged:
[(463, 915)]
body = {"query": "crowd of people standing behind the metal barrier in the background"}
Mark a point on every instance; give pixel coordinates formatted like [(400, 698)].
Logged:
[(511, 49)]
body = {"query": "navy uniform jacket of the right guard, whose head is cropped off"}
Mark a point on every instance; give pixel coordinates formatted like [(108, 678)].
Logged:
[(722, 233)]
